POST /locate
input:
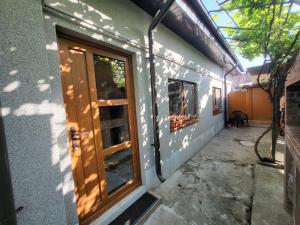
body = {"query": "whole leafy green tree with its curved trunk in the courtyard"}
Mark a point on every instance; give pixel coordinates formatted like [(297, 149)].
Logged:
[(268, 28)]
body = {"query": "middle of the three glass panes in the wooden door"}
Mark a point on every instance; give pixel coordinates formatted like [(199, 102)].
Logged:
[(114, 125)]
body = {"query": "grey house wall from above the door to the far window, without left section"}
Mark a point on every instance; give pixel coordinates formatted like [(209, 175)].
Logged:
[(110, 26)]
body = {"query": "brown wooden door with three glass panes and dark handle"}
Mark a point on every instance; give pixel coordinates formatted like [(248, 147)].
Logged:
[(99, 102)]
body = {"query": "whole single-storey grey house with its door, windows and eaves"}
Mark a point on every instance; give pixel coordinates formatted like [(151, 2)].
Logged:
[(76, 101)]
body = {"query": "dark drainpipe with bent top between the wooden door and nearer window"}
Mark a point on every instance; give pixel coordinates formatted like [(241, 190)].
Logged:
[(157, 19)]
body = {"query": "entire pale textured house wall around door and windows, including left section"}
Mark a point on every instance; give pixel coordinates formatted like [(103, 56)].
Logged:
[(31, 92)]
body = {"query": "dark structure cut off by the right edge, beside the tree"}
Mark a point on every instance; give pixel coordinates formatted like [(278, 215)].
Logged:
[(292, 137)]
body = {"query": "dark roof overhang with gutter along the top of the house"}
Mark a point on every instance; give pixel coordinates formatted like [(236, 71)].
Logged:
[(190, 21)]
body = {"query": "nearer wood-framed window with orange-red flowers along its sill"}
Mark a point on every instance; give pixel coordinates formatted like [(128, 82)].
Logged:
[(182, 103)]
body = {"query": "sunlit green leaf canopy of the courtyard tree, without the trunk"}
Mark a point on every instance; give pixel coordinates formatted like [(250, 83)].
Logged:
[(273, 34)]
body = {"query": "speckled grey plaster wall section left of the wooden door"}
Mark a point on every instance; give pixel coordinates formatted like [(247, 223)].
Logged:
[(28, 109)]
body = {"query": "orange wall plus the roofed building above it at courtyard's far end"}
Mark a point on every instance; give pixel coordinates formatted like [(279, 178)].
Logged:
[(251, 99)]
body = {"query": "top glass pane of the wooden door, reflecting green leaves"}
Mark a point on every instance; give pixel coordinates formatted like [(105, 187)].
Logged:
[(110, 78)]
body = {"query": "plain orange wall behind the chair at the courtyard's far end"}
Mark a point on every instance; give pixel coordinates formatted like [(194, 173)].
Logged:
[(252, 101)]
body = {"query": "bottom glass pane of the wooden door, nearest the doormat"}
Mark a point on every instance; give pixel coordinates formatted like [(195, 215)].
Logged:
[(118, 169)]
